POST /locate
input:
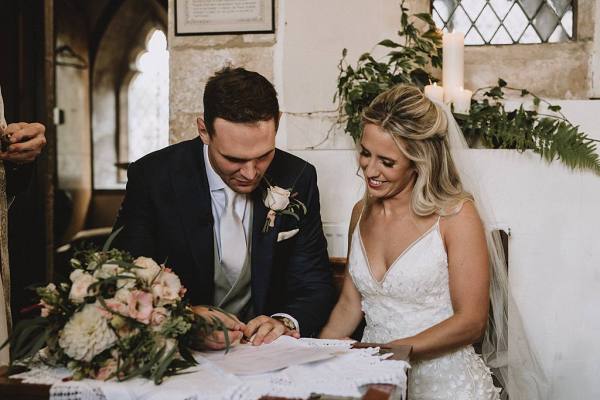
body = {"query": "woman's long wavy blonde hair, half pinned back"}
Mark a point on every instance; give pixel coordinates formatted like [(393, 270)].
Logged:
[(419, 128)]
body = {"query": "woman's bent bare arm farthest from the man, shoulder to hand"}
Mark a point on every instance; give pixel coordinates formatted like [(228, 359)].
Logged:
[(469, 288)]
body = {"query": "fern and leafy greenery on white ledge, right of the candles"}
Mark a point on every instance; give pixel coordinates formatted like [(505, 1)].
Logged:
[(550, 135)]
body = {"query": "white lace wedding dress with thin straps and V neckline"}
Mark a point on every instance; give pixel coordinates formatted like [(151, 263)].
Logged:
[(412, 296)]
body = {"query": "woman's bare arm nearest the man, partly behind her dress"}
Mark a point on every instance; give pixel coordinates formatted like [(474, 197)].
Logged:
[(347, 313)]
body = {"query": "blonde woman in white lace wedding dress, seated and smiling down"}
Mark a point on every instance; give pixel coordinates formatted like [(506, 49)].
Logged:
[(418, 260)]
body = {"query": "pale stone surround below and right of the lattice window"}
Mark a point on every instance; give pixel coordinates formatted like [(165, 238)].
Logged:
[(556, 70)]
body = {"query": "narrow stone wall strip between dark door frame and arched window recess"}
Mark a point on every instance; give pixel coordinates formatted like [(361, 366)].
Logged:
[(73, 137)]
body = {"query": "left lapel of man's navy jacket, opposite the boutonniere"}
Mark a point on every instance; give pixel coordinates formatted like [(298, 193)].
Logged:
[(192, 197)]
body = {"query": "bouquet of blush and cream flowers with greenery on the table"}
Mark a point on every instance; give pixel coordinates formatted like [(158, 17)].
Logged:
[(118, 317)]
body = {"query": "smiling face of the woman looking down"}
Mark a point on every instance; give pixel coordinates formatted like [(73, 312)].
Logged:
[(387, 171)]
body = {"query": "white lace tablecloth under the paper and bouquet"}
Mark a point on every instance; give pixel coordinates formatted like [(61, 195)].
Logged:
[(342, 375)]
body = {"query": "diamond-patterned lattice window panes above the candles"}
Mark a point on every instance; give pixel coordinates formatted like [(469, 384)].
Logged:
[(506, 21)]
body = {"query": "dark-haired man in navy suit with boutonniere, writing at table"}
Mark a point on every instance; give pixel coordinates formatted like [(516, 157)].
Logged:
[(199, 207)]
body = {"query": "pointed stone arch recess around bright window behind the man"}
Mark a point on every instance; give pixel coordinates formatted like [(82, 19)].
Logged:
[(115, 69)]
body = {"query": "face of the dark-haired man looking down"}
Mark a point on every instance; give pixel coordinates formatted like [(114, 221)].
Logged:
[(240, 152)]
